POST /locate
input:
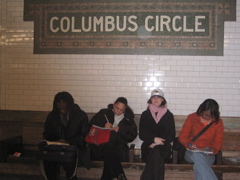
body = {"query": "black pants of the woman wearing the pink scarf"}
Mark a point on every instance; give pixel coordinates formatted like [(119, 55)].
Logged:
[(154, 168)]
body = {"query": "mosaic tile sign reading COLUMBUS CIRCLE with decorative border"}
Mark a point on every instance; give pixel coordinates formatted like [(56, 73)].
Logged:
[(156, 27)]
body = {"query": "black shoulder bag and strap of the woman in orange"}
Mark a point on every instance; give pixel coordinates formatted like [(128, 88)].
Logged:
[(182, 149)]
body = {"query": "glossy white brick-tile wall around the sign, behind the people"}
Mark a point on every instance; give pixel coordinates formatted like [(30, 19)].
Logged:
[(30, 81)]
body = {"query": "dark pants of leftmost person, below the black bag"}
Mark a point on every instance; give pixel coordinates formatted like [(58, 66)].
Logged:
[(52, 169)]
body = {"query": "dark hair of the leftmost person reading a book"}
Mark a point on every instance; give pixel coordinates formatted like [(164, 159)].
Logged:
[(66, 97)]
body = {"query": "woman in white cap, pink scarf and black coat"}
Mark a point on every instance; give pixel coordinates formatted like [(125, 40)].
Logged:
[(157, 131)]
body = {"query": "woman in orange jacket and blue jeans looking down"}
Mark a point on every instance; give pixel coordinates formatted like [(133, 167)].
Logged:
[(211, 139)]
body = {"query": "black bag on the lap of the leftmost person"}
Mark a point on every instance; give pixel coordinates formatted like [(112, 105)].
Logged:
[(59, 153)]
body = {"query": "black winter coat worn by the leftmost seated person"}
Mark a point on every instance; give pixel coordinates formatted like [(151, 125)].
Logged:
[(75, 132)]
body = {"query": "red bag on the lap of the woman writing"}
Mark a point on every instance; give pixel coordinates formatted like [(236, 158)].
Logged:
[(98, 135)]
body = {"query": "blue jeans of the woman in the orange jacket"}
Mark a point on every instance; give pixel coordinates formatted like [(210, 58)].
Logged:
[(202, 165)]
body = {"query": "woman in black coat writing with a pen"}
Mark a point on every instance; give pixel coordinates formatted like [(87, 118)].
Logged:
[(120, 117)]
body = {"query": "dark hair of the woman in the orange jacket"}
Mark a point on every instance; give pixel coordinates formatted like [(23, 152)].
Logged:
[(209, 105)]
